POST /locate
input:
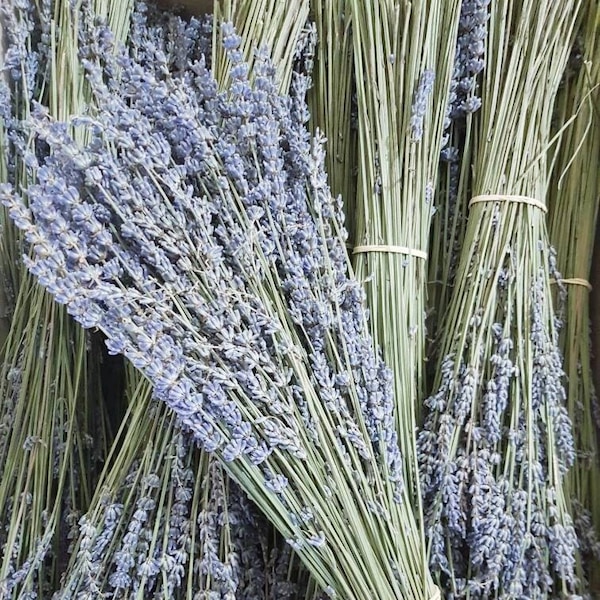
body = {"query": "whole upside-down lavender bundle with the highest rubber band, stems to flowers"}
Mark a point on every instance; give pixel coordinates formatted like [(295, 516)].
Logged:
[(497, 442)]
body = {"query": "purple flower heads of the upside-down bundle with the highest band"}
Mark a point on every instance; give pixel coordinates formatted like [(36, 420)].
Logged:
[(489, 453)]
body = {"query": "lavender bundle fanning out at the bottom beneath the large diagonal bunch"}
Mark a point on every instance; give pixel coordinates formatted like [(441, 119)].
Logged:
[(165, 521)]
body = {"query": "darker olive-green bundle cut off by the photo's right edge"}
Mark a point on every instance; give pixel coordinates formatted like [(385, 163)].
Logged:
[(573, 210)]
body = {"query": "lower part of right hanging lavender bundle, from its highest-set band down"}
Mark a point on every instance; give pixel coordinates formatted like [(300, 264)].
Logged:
[(497, 440)]
